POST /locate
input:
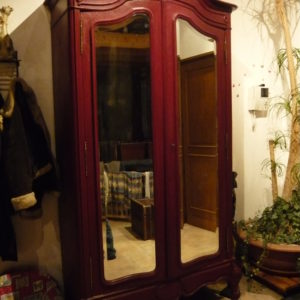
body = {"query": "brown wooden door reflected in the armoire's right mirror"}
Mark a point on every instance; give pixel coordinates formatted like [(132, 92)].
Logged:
[(199, 140)]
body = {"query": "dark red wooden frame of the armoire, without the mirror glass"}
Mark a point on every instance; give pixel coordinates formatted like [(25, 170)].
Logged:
[(73, 25)]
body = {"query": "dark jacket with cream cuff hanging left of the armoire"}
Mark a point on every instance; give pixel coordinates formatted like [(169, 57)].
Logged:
[(26, 158)]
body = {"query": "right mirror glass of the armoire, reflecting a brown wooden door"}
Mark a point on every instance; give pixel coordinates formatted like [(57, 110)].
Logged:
[(198, 148)]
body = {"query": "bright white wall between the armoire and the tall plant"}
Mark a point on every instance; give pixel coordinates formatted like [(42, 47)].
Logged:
[(253, 63)]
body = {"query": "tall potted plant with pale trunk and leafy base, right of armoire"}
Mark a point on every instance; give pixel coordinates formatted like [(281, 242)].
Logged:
[(271, 241)]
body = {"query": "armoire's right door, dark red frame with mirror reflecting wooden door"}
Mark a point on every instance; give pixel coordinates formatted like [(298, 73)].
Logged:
[(196, 167)]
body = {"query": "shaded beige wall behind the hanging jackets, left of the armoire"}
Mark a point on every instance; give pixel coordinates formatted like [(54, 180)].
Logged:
[(38, 240)]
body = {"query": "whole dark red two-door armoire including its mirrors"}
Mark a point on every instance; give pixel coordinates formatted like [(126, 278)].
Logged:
[(142, 97)]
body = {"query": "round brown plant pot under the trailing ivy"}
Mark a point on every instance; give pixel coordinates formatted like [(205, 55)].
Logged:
[(280, 259)]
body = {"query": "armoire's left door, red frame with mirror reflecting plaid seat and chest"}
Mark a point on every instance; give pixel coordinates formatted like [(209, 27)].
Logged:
[(127, 108)]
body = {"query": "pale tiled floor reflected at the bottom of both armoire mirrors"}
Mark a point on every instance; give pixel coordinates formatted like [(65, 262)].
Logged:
[(135, 255)]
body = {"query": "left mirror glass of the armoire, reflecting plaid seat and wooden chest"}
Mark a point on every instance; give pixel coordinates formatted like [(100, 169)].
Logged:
[(125, 143)]
